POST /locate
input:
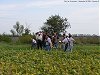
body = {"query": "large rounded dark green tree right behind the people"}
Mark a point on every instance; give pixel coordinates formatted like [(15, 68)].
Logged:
[(55, 24)]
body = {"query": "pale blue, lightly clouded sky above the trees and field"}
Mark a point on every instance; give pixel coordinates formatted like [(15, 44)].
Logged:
[(83, 16)]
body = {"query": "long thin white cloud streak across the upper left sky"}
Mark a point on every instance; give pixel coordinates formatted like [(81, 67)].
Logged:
[(43, 4)]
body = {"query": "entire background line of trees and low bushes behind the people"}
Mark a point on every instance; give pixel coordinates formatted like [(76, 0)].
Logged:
[(56, 23)]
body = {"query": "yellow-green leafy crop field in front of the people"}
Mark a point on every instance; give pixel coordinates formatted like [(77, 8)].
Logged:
[(21, 60)]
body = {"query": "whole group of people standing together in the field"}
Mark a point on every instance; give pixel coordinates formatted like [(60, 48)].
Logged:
[(45, 41)]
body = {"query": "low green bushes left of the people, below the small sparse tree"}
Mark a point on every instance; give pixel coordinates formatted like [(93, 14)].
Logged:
[(24, 39)]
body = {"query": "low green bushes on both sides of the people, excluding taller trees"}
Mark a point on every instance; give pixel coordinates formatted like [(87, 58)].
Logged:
[(26, 39)]
